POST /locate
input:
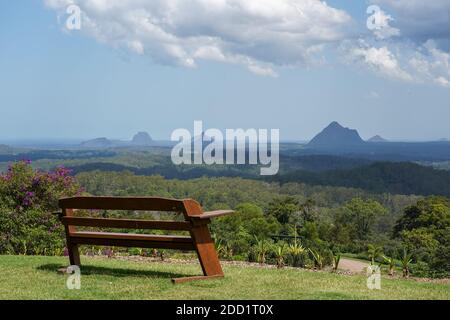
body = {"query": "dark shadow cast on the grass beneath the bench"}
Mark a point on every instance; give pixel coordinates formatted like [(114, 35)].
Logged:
[(116, 272)]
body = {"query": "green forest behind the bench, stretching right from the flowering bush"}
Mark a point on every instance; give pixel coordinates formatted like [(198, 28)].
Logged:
[(325, 219)]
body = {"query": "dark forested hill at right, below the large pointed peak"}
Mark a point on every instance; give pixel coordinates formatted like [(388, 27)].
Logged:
[(380, 177)]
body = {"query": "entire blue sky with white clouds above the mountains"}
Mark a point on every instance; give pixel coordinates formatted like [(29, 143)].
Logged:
[(381, 66)]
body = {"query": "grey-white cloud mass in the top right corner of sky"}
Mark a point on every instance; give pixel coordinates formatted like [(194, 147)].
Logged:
[(419, 53)]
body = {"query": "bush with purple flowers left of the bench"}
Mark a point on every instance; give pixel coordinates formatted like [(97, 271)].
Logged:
[(27, 199)]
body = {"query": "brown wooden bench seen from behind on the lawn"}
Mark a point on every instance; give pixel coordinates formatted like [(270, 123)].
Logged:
[(195, 221)]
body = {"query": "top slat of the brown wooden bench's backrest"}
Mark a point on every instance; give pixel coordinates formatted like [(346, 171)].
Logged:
[(123, 203)]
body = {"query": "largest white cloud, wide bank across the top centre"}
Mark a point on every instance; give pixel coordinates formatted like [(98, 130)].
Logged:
[(258, 34)]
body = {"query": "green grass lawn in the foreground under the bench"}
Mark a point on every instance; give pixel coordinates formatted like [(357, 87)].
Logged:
[(35, 277)]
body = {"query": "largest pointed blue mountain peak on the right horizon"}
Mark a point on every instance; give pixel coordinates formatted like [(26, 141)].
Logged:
[(335, 136)]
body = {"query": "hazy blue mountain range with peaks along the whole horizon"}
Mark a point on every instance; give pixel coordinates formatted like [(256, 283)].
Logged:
[(335, 139)]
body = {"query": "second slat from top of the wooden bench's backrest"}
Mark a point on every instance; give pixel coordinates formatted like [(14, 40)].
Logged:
[(126, 223)]
